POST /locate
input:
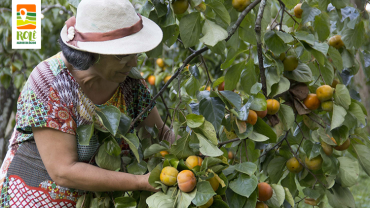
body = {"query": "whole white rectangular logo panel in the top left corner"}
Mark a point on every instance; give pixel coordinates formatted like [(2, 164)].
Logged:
[(26, 27)]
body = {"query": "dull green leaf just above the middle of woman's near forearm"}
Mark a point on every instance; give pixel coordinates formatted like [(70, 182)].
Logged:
[(106, 161)]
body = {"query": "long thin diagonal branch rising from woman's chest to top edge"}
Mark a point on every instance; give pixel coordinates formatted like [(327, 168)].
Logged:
[(191, 57)]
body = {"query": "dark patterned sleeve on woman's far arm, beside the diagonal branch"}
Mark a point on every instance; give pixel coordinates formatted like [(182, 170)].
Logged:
[(142, 100)]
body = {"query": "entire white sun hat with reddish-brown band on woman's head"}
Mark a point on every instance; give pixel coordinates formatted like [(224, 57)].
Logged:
[(110, 27)]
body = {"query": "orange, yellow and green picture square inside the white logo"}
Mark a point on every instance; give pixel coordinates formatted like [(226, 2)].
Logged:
[(26, 16)]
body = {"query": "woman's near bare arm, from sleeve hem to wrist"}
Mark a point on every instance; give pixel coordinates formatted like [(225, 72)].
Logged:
[(58, 151)]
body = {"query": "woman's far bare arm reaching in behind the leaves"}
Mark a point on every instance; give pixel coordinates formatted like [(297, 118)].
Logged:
[(155, 119)]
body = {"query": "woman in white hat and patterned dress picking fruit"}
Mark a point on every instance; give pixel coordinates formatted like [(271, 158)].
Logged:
[(45, 165)]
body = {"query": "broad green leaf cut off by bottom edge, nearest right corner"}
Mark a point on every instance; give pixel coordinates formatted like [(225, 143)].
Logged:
[(340, 197)]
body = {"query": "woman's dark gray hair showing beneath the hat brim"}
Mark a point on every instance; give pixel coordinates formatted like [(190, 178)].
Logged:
[(80, 60)]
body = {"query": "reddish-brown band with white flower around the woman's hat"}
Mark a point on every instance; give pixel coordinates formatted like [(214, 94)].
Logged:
[(74, 35)]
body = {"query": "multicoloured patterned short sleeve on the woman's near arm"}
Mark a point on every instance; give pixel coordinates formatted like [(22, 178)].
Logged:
[(39, 104)]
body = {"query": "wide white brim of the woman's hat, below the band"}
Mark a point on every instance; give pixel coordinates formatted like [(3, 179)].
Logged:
[(145, 40)]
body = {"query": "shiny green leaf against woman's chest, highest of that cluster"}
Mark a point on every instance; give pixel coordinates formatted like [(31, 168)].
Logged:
[(110, 116)]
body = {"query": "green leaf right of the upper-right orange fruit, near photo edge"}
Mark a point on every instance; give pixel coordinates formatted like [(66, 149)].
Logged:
[(354, 38)]
